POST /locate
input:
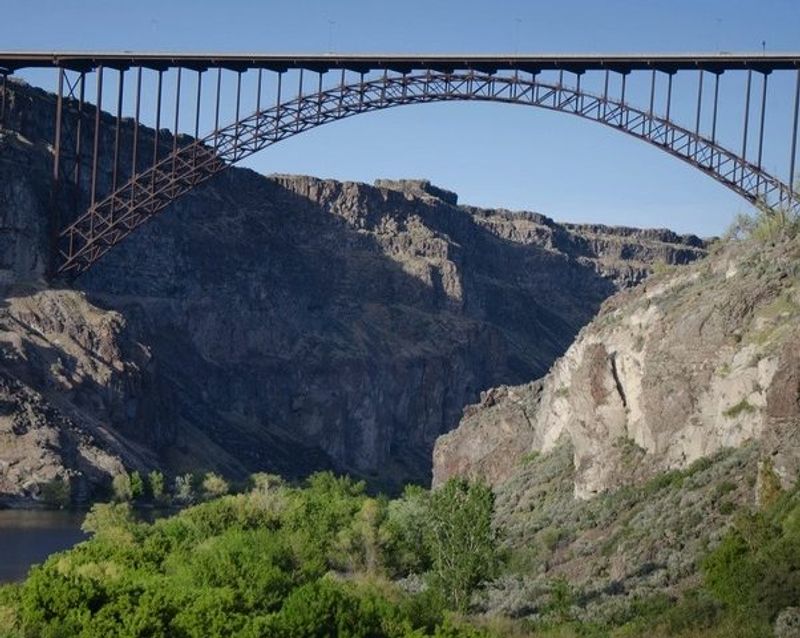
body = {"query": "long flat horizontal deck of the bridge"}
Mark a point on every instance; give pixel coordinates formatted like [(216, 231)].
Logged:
[(576, 63)]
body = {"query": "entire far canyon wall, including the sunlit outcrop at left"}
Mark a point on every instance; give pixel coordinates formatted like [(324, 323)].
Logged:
[(290, 323)]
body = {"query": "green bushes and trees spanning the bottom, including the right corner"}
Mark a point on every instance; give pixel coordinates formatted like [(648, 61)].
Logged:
[(326, 559)]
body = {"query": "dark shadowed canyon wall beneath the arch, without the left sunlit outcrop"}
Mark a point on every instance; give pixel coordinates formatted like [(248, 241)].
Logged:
[(356, 321)]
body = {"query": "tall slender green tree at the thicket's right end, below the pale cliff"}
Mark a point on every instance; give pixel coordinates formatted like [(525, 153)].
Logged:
[(461, 540)]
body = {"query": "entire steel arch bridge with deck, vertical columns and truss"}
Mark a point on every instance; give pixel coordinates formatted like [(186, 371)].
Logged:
[(722, 113)]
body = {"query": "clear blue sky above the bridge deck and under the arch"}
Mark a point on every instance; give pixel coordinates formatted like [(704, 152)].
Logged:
[(492, 155)]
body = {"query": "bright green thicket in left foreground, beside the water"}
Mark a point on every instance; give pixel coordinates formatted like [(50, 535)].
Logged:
[(323, 560)]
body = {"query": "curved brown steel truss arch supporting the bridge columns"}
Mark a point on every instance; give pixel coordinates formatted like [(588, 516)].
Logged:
[(113, 218)]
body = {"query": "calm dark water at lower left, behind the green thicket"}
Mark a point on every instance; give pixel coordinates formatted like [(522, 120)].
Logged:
[(29, 537)]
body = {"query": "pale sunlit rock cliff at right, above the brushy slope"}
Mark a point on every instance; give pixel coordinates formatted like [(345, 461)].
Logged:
[(694, 360)]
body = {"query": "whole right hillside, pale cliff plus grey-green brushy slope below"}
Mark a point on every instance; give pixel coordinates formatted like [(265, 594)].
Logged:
[(676, 409)]
